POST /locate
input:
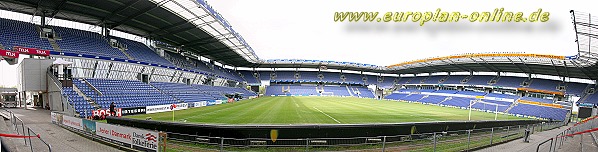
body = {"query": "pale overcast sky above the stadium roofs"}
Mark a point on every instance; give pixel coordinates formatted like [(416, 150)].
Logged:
[(305, 30)]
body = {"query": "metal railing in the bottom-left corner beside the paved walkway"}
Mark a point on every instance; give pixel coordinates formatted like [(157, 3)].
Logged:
[(38, 144)]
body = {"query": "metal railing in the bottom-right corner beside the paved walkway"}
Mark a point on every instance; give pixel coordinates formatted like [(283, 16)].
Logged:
[(566, 137)]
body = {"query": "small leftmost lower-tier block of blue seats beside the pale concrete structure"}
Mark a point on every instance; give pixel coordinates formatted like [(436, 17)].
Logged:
[(81, 106)]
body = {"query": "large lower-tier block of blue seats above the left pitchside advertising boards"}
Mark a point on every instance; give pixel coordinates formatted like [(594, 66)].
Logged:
[(128, 93)]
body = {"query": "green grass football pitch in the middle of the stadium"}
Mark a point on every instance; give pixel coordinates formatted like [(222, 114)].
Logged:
[(319, 110)]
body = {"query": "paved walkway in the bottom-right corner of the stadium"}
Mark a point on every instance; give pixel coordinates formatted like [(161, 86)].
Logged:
[(569, 145)]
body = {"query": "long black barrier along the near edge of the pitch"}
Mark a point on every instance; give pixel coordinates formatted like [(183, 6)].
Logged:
[(312, 131)]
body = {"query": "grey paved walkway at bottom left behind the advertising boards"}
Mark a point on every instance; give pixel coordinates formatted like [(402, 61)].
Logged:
[(59, 138)]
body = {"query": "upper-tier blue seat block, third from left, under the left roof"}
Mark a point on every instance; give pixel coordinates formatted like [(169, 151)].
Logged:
[(141, 52)]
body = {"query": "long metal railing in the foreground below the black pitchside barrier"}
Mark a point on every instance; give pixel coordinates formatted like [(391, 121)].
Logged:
[(461, 140)]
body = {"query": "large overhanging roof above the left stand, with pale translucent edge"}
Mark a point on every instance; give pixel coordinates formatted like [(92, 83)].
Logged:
[(191, 24)]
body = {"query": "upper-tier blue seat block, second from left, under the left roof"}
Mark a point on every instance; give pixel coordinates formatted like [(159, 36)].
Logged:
[(84, 42)]
